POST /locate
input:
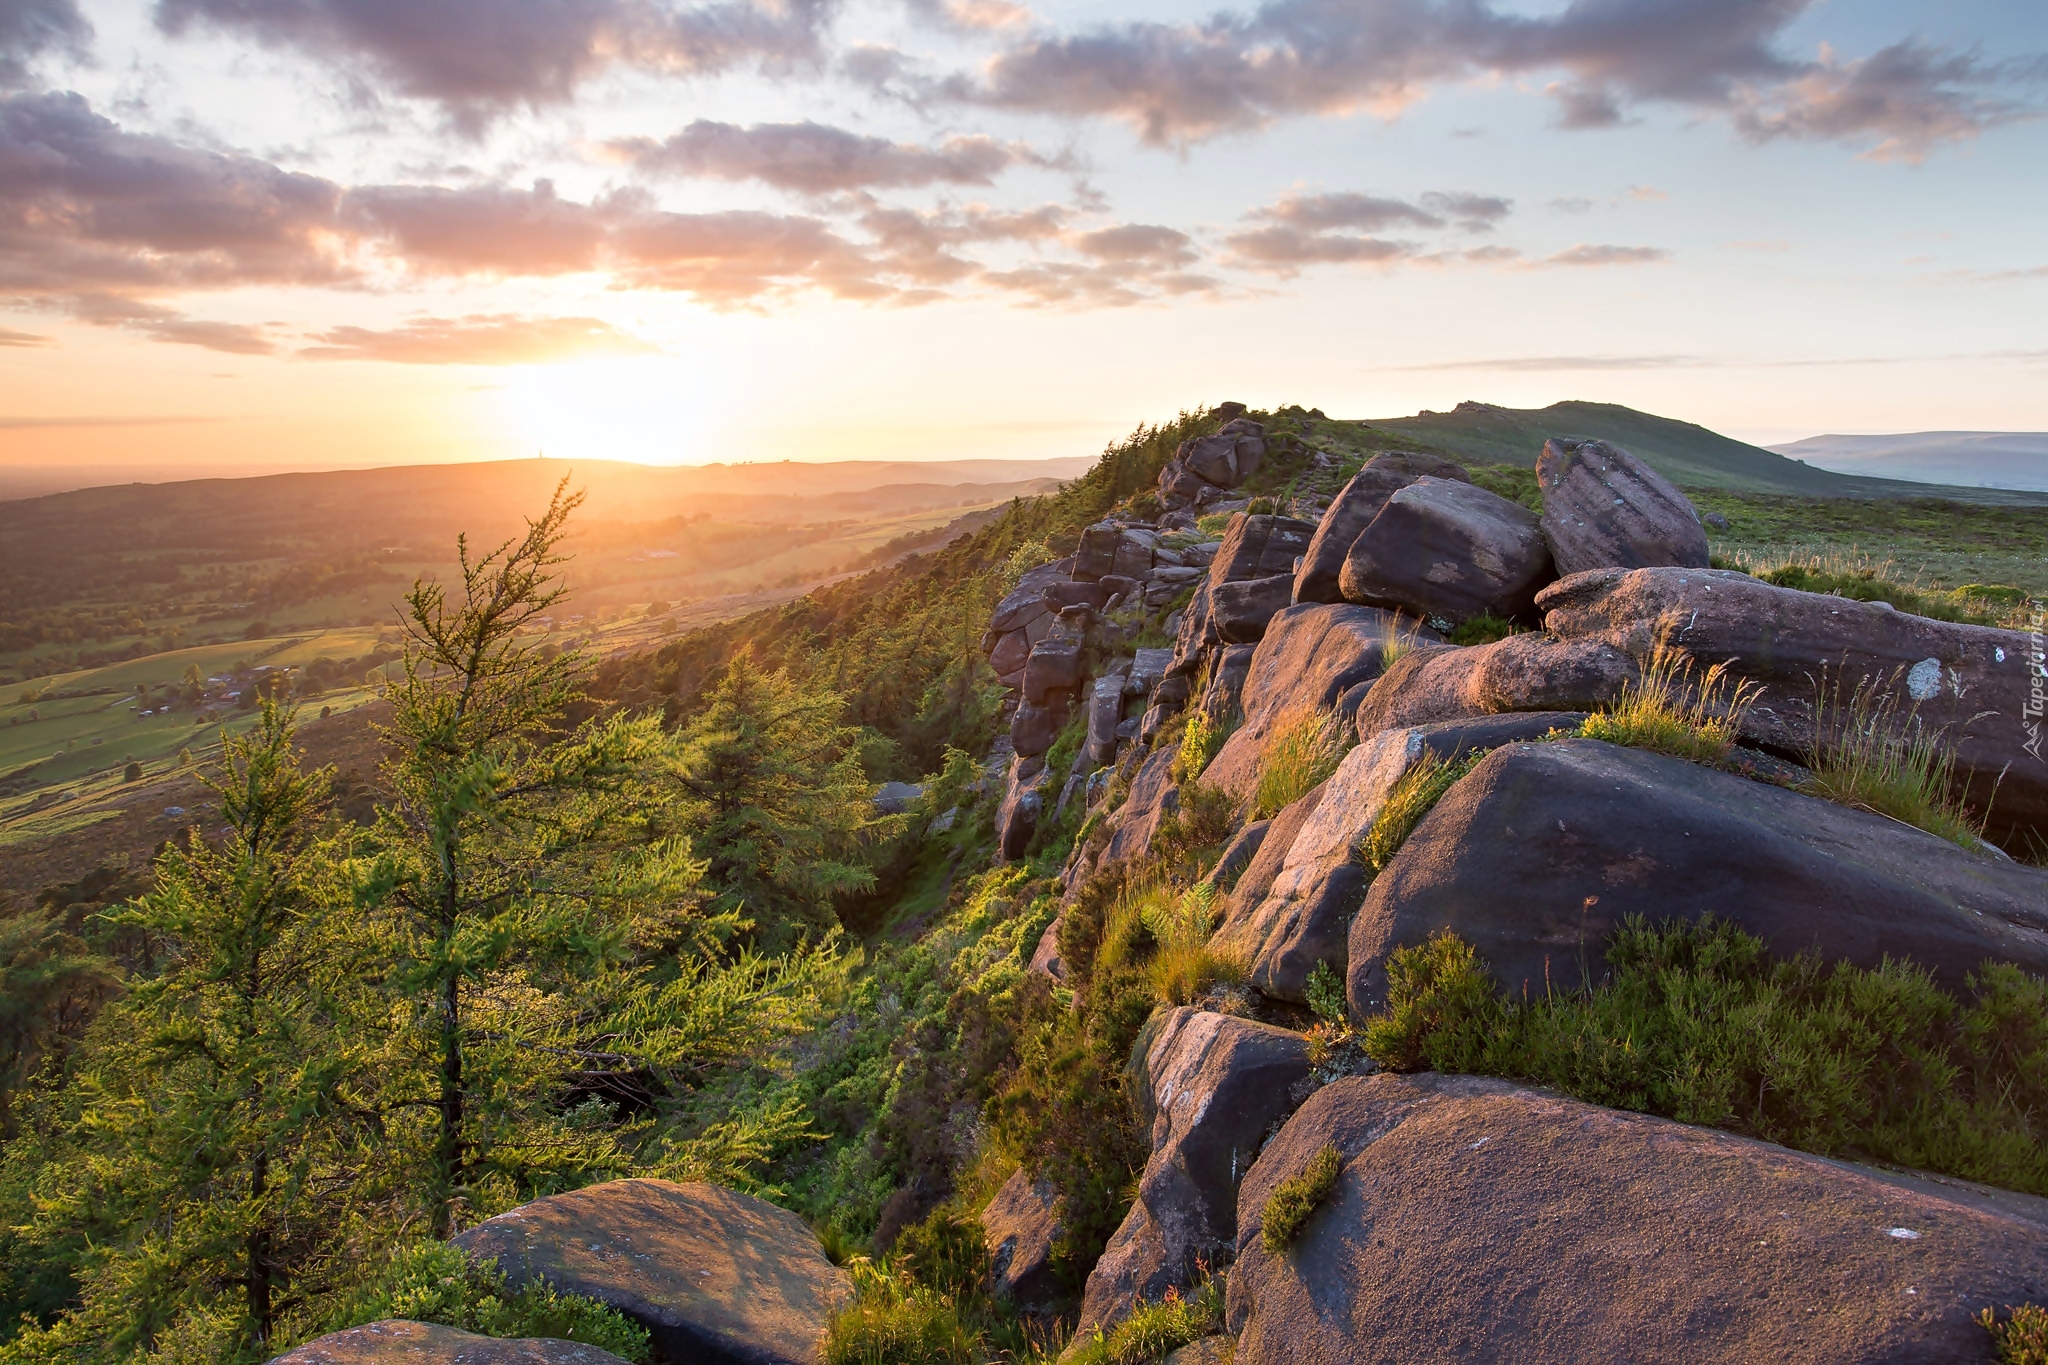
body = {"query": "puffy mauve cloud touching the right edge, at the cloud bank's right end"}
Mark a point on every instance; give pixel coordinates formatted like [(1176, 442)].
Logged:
[(1904, 101)]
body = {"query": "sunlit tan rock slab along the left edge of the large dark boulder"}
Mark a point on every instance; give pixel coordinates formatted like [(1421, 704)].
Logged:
[(1312, 895)]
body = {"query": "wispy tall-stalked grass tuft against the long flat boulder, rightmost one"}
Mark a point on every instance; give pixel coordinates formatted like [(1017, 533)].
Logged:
[(1877, 758)]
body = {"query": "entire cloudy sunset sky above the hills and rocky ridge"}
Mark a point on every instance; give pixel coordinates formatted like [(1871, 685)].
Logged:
[(243, 236)]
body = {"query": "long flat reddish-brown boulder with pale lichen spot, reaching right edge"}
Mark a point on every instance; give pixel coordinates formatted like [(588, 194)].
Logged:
[(1975, 685)]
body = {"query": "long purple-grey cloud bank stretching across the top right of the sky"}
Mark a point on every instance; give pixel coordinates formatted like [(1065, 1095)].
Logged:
[(1183, 83)]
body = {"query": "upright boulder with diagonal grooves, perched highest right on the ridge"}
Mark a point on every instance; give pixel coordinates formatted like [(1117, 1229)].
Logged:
[(1603, 509)]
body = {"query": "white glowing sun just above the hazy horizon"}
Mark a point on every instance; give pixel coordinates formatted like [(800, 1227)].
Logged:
[(644, 408)]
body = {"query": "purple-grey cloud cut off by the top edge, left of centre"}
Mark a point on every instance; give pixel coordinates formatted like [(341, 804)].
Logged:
[(484, 58)]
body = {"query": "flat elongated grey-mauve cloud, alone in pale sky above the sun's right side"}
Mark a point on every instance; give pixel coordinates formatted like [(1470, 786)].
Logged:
[(818, 161)]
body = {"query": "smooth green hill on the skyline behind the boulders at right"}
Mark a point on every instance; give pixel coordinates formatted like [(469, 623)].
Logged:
[(1682, 451)]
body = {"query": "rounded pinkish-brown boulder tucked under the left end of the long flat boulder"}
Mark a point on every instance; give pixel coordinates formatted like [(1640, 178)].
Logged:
[(1525, 672)]
